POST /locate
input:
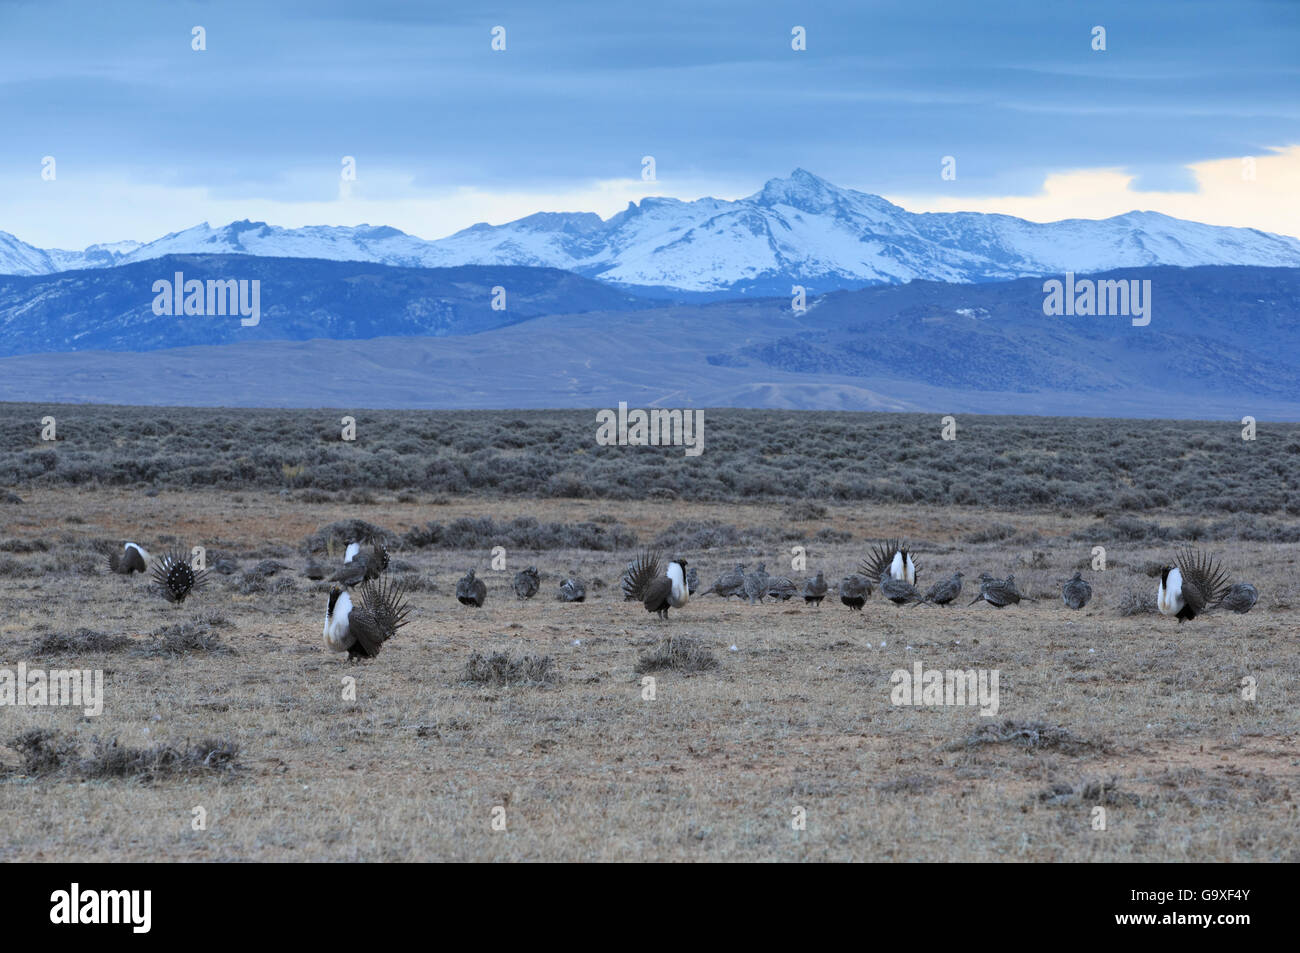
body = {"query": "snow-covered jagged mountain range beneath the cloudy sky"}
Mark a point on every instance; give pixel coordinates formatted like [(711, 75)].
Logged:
[(800, 231)]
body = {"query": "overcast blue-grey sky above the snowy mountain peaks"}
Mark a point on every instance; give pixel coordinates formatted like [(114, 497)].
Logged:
[(150, 136)]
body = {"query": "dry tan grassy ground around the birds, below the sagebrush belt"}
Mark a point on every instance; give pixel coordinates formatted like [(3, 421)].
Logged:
[(798, 716)]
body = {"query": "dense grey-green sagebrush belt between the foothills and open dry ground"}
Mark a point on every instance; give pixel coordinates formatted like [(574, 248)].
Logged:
[(1123, 467)]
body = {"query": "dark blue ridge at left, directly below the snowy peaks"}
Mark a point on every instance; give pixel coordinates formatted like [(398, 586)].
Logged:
[(112, 310)]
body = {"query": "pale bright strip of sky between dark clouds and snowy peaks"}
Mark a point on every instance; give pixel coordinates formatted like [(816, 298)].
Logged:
[(76, 211)]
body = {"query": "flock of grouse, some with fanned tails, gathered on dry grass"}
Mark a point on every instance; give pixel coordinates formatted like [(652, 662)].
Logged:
[(367, 608)]
